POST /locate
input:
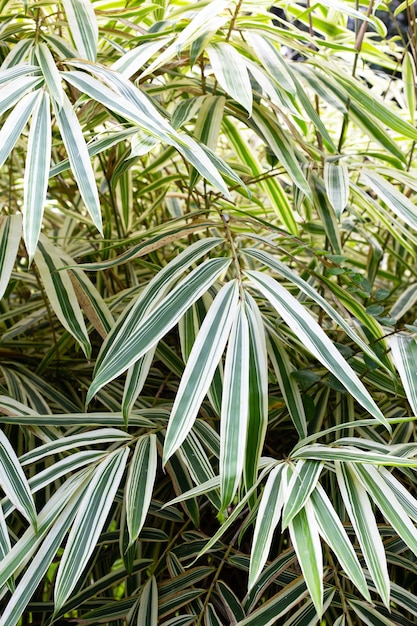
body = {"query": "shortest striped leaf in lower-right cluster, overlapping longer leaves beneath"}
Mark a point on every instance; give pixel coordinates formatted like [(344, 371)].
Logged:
[(302, 481)]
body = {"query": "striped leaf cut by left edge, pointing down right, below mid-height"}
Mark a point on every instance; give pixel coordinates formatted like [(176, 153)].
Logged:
[(14, 482)]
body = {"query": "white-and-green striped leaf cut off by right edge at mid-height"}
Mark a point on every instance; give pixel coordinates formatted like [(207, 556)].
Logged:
[(404, 354)]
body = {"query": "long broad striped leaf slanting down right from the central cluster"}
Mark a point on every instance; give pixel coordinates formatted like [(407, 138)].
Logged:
[(315, 339)]
